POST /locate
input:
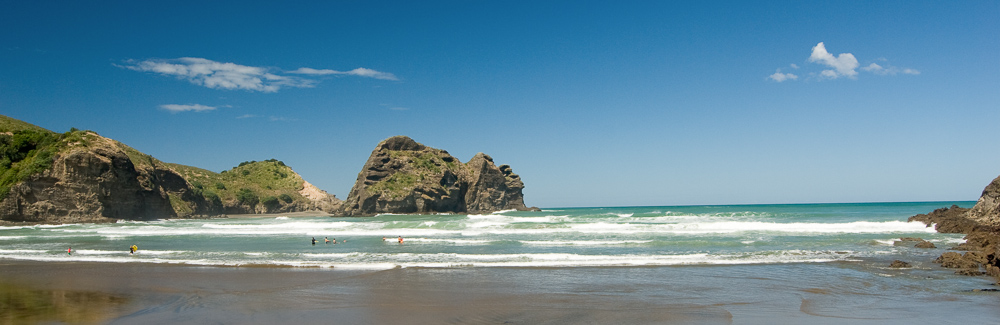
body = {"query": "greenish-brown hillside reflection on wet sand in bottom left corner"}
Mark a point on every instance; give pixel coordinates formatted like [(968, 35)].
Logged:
[(25, 305)]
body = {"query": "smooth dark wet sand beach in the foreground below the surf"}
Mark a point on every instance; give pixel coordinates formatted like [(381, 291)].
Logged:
[(150, 293)]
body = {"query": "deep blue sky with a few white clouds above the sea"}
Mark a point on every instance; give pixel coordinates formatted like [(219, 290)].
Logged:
[(593, 104)]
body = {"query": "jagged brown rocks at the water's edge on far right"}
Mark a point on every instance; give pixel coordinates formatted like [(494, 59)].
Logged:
[(981, 226)]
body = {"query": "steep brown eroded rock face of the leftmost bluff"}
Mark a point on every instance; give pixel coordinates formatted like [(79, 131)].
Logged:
[(93, 183)]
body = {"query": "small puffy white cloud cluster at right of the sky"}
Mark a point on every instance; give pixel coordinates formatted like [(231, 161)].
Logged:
[(841, 65)]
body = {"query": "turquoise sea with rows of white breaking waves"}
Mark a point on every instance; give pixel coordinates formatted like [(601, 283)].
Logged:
[(560, 237)]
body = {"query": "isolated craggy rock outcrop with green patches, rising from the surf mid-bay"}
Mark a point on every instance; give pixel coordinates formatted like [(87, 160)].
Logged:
[(404, 176)]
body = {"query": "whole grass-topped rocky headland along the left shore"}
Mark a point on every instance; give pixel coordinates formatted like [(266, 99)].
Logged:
[(80, 176)]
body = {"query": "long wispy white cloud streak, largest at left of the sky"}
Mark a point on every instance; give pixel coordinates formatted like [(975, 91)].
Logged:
[(228, 75)]
